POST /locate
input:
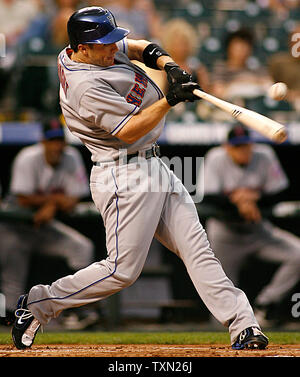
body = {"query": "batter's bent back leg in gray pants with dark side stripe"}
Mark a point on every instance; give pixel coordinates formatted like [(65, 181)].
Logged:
[(130, 219)]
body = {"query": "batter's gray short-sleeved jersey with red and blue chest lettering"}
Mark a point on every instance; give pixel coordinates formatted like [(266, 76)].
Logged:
[(98, 101)]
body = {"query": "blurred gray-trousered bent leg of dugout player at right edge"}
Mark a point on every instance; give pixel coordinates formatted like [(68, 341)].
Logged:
[(283, 248)]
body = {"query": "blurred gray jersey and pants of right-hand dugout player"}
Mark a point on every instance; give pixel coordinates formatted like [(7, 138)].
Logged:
[(233, 241)]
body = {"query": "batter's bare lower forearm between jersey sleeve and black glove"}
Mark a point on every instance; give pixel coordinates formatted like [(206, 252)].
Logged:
[(143, 122)]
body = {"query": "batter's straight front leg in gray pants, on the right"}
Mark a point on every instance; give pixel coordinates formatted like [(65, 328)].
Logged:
[(181, 231)]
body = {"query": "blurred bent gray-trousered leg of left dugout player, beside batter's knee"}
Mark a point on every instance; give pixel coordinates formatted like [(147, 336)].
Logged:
[(58, 239)]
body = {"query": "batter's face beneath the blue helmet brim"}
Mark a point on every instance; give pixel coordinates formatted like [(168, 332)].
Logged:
[(103, 55)]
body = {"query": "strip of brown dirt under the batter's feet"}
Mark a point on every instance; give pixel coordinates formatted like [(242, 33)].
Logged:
[(148, 350)]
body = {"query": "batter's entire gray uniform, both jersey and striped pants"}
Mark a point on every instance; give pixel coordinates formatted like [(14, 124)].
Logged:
[(97, 102)]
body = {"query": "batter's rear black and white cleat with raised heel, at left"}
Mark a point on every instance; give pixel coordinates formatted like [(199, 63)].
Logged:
[(25, 326)]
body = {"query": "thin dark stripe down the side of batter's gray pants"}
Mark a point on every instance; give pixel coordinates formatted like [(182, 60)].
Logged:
[(116, 259)]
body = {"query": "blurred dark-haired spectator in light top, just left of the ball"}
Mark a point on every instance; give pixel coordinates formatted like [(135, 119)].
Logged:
[(235, 78)]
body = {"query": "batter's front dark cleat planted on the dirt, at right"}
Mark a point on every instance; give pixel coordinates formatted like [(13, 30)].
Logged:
[(250, 338)]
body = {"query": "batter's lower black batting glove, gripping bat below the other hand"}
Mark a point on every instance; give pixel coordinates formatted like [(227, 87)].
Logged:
[(182, 93)]
